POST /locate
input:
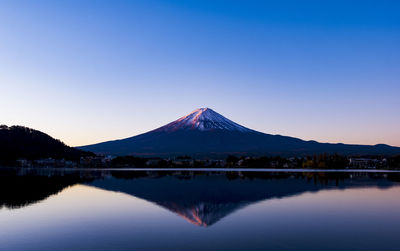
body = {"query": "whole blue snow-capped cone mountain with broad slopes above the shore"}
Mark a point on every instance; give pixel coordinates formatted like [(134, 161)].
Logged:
[(206, 133)]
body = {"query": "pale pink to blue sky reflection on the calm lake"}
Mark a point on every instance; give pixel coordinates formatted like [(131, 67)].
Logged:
[(87, 217)]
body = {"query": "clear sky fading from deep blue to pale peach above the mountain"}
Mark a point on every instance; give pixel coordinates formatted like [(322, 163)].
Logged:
[(90, 71)]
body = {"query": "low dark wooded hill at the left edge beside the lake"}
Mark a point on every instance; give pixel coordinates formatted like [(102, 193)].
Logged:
[(22, 142)]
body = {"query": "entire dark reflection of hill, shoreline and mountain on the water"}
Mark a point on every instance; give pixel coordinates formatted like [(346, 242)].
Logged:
[(202, 198)]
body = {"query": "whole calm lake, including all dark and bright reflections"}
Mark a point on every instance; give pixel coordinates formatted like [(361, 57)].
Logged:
[(198, 210)]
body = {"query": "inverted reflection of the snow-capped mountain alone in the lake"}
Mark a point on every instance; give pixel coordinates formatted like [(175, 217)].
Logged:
[(204, 199)]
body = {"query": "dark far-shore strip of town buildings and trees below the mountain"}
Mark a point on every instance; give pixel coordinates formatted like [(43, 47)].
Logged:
[(323, 161)]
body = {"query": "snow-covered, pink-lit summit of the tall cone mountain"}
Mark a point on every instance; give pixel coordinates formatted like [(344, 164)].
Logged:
[(203, 119)]
